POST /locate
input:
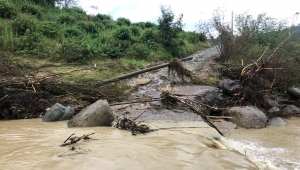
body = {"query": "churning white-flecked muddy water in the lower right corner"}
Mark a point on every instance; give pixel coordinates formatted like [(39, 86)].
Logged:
[(271, 147)]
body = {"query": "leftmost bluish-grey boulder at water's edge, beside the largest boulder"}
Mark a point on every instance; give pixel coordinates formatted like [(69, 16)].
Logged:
[(58, 112)]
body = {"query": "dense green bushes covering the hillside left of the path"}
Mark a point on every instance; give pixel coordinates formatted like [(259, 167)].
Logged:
[(67, 33)]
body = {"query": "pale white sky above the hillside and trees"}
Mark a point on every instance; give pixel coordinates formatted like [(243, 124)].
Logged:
[(193, 10)]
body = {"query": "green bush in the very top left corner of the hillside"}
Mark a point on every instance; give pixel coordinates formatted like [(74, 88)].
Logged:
[(7, 9)]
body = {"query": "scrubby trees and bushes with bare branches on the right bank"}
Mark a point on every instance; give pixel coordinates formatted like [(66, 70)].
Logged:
[(262, 53)]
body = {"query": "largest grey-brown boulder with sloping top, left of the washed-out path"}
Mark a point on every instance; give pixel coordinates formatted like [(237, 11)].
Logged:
[(97, 114)]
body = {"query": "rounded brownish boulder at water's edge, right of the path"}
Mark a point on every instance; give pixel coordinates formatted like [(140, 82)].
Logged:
[(247, 117)]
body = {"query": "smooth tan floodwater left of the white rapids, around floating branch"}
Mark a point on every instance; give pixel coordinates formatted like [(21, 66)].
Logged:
[(33, 144)]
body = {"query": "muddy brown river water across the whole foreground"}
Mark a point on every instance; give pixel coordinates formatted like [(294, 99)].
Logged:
[(33, 144)]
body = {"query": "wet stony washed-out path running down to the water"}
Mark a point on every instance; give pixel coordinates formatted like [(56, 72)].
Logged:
[(150, 85)]
